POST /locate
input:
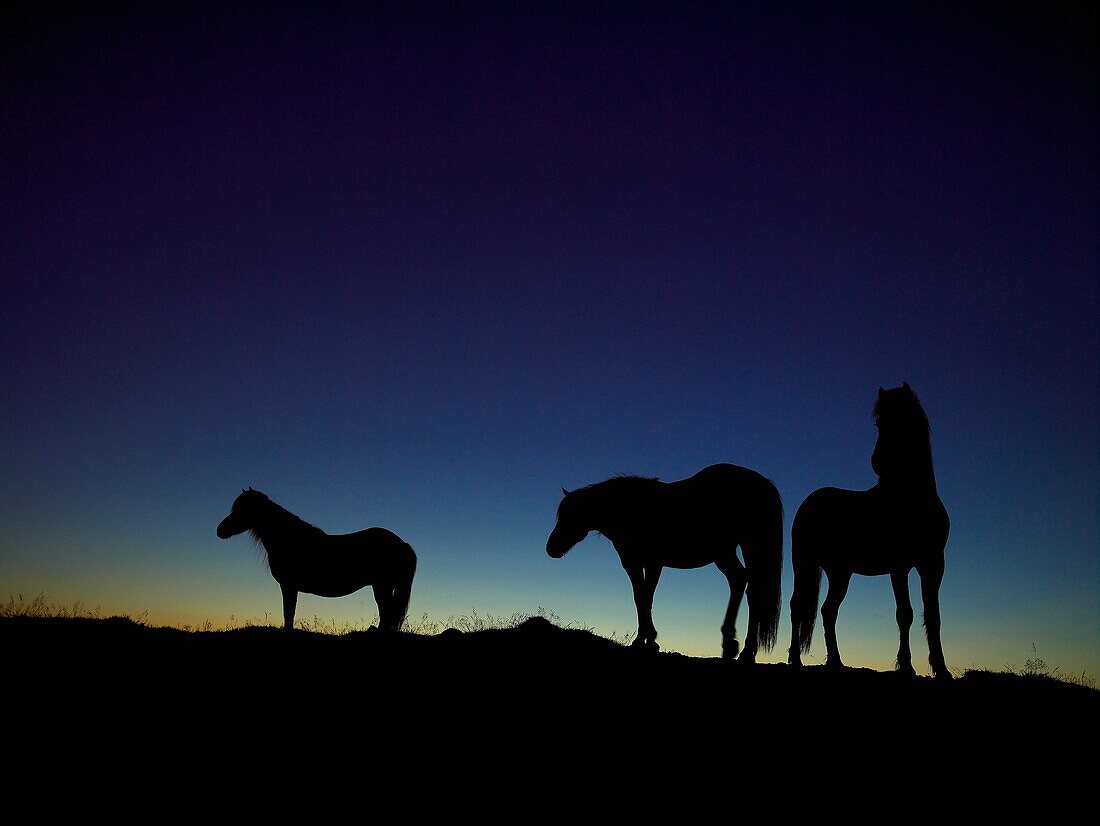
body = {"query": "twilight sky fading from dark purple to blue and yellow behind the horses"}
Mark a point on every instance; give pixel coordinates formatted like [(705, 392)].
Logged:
[(419, 266)]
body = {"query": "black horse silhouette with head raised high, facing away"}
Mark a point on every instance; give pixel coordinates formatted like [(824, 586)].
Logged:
[(893, 528)]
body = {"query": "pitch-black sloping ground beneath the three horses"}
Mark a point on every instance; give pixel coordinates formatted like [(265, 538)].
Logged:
[(529, 724)]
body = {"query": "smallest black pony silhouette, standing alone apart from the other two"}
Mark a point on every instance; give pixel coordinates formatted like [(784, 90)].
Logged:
[(306, 559)]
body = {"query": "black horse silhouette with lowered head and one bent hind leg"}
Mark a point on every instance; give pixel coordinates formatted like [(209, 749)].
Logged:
[(688, 524)]
